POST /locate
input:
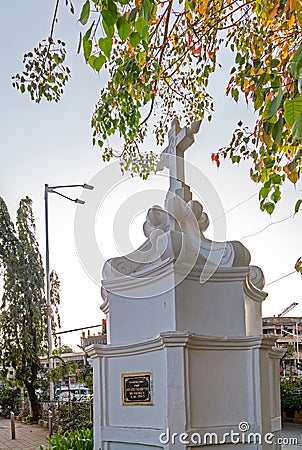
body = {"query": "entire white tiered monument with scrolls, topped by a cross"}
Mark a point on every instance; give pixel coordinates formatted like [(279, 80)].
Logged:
[(186, 365)]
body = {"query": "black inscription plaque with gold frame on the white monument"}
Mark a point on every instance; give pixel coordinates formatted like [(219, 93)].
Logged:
[(136, 389)]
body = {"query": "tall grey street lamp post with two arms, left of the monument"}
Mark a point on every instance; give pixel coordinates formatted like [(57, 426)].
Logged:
[(52, 189)]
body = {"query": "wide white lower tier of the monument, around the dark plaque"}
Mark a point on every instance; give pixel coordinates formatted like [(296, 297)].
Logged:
[(205, 392)]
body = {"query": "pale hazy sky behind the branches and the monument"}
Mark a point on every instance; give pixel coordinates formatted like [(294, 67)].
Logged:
[(51, 143)]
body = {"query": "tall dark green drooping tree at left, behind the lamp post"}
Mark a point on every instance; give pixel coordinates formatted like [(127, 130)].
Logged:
[(23, 318)]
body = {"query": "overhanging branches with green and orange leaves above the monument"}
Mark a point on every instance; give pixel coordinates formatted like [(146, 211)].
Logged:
[(159, 56)]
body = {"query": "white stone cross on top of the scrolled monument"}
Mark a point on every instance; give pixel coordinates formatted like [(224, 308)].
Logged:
[(180, 139)]
